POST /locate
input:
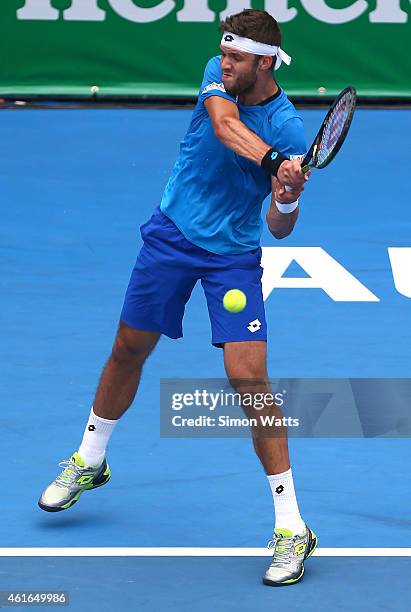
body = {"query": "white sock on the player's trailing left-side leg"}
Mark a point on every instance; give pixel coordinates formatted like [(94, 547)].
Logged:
[(95, 439)]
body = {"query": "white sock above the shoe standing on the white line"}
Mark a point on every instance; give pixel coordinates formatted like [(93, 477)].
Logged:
[(287, 514)]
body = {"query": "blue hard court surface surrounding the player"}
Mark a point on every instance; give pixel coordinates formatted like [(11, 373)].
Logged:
[(75, 187)]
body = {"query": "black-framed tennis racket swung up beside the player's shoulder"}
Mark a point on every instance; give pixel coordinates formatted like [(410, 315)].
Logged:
[(332, 133)]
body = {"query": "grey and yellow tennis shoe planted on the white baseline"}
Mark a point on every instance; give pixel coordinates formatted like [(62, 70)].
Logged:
[(290, 552)]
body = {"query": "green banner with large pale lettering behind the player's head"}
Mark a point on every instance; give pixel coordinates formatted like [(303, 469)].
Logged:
[(160, 47)]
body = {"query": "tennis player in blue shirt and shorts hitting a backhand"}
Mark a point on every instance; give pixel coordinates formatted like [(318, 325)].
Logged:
[(242, 145)]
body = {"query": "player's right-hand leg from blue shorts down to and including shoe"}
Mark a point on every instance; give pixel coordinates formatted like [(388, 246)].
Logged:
[(243, 336)]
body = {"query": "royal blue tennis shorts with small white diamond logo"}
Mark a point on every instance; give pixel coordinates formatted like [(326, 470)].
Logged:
[(166, 271)]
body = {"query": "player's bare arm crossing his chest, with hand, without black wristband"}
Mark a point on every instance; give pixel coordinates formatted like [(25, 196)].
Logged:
[(235, 135)]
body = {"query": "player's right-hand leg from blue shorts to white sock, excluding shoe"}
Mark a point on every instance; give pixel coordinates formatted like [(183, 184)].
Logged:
[(243, 336)]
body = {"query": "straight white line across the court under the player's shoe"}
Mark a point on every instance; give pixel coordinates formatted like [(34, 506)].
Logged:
[(194, 552)]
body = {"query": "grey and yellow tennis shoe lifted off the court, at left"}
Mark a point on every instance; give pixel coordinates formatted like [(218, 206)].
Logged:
[(76, 478)]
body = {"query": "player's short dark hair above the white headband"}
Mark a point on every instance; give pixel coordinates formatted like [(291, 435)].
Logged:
[(255, 24)]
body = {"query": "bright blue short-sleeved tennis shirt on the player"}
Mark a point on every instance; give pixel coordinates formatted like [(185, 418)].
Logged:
[(215, 196)]
